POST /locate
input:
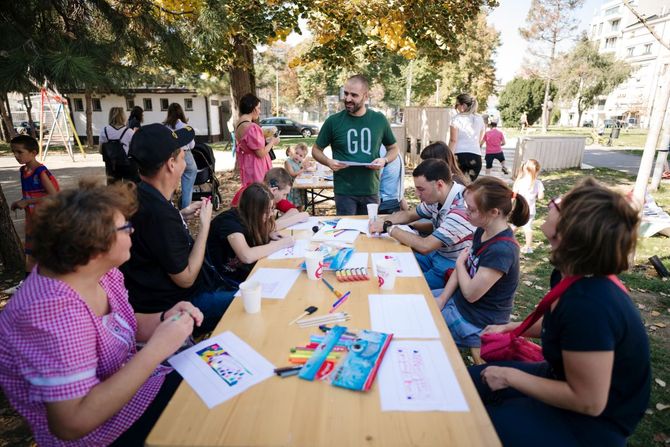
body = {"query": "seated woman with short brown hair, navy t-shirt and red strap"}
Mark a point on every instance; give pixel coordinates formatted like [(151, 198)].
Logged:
[(593, 387)]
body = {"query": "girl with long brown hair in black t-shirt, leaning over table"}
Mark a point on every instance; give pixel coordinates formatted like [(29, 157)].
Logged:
[(241, 236)]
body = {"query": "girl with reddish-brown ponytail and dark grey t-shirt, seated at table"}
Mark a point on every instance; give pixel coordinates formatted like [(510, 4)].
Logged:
[(481, 290)]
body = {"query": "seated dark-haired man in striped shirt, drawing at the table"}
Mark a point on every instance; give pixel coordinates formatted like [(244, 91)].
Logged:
[(442, 202)]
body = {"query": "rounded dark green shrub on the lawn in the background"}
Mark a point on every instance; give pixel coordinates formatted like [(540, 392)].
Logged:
[(522, 95)]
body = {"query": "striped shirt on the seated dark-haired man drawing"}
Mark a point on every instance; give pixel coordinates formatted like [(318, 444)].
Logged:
[(450, 222)]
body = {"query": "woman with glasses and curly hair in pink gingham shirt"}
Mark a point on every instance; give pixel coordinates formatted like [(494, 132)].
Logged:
[(68, 361)]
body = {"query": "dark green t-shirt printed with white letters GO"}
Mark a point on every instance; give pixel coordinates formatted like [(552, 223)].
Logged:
[(356, 138)]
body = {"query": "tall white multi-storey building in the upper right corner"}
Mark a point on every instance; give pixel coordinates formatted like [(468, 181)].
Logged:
[(616, 30)]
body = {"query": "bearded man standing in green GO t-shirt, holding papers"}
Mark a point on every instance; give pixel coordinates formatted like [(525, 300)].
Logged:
[(355, 135)]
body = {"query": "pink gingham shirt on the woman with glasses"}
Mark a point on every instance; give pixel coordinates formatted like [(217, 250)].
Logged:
[(55, 348)]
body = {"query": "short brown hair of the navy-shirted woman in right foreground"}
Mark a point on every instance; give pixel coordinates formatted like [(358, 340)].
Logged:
[(597, 229)]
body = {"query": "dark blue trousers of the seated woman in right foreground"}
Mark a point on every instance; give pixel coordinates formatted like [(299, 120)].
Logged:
[(523, 421)]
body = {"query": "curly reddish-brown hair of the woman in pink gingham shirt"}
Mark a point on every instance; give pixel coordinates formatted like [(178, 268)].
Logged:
[(73, 226)]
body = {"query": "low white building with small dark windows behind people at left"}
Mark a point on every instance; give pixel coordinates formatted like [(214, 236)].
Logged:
[(210, 116)]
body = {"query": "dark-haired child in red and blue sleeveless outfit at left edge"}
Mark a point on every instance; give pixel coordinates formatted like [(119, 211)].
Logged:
[(36, 182)]
